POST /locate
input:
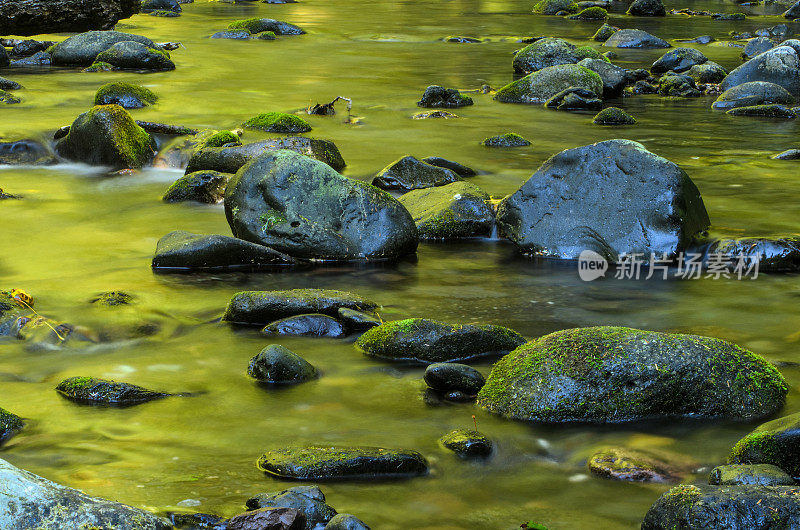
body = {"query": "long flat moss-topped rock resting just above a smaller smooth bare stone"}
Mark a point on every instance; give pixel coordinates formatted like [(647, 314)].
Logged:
[(262, 307)]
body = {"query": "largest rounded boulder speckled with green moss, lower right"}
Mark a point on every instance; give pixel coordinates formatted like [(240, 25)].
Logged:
[(614, 374)]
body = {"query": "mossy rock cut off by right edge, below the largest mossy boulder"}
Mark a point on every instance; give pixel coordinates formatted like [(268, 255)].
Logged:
[(776, 442)]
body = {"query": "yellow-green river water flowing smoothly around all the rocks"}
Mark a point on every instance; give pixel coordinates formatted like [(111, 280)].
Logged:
[(78, 233)]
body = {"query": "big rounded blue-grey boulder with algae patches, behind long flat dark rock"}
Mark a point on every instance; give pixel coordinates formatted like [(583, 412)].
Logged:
[(304, 208)]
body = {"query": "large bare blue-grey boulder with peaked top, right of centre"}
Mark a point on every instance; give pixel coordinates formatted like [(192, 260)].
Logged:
[(647, 205)]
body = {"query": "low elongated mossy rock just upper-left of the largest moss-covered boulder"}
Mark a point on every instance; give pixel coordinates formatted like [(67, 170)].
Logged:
[(428, 341)]
